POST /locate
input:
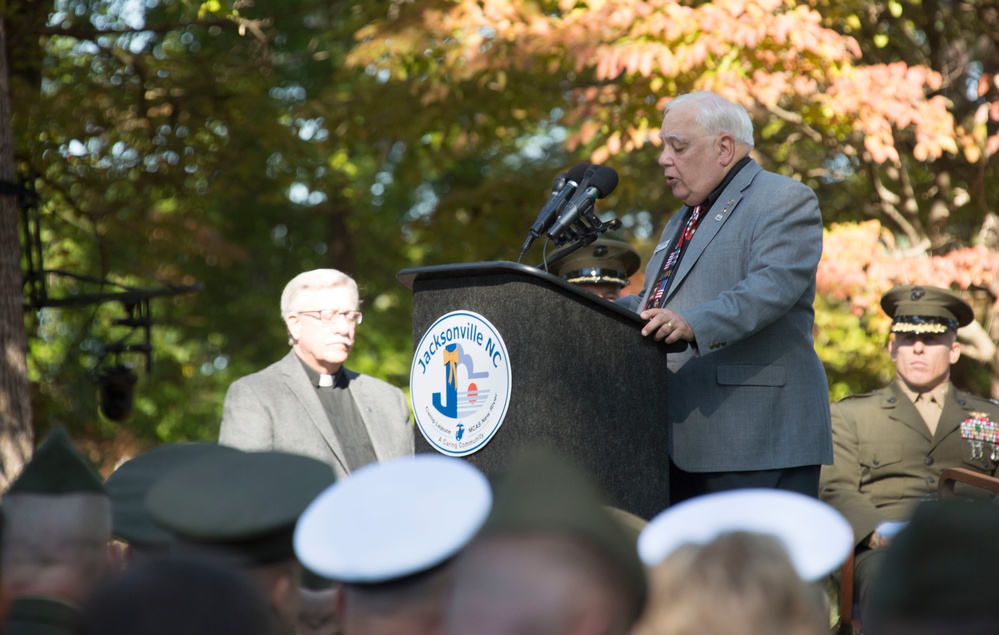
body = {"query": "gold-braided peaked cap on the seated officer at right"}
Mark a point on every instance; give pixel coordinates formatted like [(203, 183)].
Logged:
[(923, 309)]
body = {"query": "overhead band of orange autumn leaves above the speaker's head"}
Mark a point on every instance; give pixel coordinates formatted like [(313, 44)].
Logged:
[(765, 54)]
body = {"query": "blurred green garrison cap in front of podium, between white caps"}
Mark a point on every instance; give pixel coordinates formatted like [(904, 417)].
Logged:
[(542, 489)]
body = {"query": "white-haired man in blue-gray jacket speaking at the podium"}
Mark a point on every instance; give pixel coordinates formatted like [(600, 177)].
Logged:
[(734, 276)]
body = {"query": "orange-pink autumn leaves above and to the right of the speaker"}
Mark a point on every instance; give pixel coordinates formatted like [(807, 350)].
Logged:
[(814, 95)]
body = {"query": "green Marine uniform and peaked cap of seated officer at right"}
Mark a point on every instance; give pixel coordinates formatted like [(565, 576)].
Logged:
[(891, 445)]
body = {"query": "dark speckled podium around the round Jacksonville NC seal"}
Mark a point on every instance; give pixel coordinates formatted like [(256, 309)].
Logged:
[(582, 377)]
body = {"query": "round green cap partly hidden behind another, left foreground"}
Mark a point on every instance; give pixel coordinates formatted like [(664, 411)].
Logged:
[(127, 487)]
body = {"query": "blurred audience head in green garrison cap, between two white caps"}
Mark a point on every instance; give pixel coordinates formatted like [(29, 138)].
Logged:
[(551, 559)]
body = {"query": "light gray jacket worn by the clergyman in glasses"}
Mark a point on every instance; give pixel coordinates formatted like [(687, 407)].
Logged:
[(277, 408)]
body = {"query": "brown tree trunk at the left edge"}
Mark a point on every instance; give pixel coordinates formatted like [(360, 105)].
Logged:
[(16, 435)]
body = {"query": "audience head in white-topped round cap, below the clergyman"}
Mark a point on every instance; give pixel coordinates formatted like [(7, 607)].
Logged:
[(389, 535)]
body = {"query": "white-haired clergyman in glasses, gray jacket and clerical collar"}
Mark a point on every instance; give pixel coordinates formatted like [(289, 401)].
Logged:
[(308, 403)]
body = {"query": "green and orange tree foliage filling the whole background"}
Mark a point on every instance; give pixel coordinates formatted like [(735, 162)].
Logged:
[(235, 144)]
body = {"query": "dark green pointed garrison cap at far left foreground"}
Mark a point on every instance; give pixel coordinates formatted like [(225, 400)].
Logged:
[(58, 467)]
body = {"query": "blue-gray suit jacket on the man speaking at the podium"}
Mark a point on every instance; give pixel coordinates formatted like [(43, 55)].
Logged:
[(751, 394)]
